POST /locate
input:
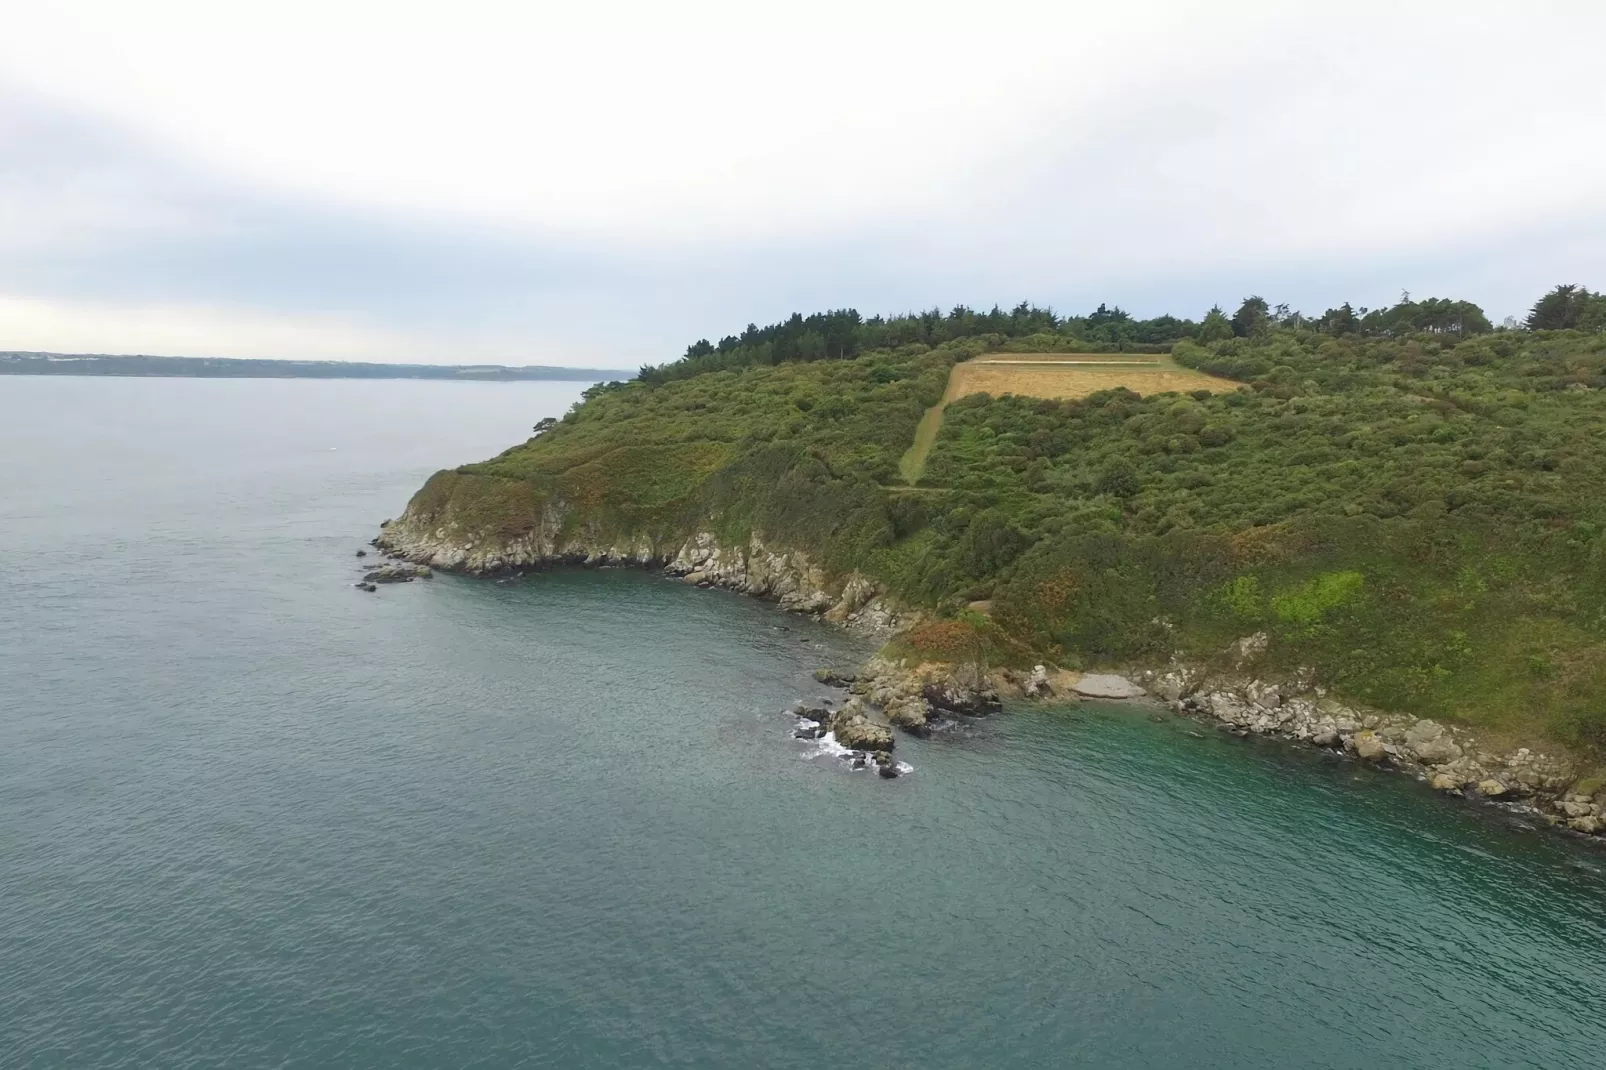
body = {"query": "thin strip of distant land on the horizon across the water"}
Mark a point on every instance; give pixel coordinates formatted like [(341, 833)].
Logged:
[(20, 364)]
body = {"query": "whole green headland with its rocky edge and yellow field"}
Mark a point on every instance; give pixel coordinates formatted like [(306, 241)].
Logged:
[(1396, 517)]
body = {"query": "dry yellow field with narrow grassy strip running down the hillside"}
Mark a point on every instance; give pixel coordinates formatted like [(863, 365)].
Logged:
[(1058, 377)]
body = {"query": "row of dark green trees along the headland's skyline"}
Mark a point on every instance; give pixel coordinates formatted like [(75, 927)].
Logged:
[(844, 333)]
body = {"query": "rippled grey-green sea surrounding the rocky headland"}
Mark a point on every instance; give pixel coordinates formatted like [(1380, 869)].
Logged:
[(253, 817)]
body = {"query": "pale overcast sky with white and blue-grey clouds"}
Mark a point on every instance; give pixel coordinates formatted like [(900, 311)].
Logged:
[(467, 182)]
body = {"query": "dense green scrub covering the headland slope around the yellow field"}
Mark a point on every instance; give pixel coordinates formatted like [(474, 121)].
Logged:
[(1411, 504)]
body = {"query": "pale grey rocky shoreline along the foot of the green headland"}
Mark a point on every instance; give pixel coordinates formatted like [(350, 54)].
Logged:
[(923, 698)]
